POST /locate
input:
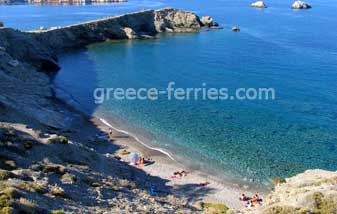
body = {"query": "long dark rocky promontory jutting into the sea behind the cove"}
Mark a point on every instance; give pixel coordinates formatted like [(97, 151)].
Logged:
[(39, 48)]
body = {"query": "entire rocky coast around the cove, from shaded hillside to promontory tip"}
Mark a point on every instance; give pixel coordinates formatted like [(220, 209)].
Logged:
[(54, 159)]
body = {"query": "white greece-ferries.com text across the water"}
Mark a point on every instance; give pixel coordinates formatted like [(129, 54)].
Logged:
[(177, 93)]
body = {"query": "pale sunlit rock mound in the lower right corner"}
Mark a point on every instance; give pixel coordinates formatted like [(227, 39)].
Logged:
[(313, 191)]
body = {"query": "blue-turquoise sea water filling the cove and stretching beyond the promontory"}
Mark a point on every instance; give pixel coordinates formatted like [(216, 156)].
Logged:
[(294, 52)]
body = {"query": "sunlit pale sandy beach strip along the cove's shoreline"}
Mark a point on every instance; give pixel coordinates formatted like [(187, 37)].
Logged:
[(218, 191)]
